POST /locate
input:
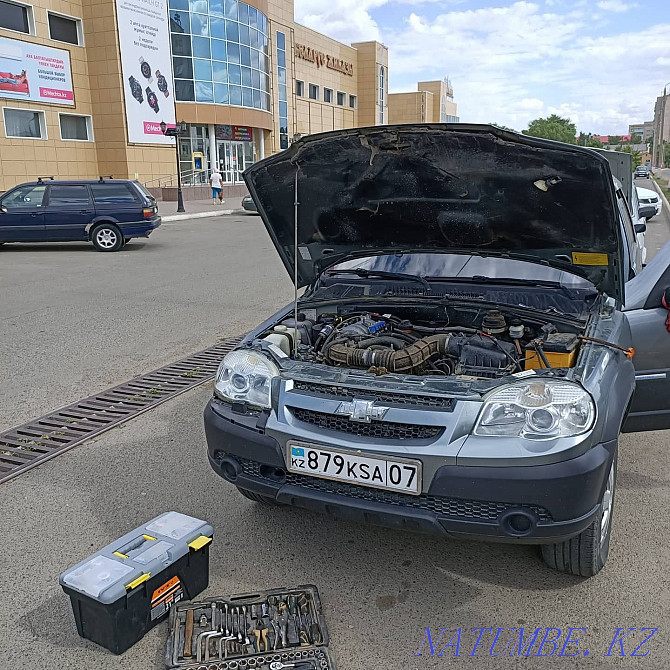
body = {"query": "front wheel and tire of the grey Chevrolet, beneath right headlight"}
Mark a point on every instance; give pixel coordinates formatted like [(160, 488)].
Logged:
[(586, 554)]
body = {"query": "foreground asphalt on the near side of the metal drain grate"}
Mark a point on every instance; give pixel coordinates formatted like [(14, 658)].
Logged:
[(380, 588)]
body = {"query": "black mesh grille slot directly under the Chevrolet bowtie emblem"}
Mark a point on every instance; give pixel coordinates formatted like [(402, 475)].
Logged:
[(376, 429)]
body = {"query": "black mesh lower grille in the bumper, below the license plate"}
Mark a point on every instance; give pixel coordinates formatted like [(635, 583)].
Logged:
[(458, 508)]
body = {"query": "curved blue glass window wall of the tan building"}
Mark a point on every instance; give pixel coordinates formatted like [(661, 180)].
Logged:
[(220, 53)]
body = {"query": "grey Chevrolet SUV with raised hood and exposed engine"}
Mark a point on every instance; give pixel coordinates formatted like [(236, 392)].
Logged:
[(461, 359)]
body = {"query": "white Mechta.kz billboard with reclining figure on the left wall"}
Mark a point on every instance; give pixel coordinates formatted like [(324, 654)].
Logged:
[(33, 72)]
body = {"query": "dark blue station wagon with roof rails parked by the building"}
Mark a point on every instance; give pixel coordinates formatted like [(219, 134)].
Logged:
[(106, 212)]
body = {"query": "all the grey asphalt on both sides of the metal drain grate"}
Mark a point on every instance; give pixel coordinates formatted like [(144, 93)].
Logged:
[(98, 319)]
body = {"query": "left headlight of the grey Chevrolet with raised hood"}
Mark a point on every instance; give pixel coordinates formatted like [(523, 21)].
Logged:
[(245, 376)]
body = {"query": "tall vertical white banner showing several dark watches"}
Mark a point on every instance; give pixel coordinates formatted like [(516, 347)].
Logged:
[(147, 69)]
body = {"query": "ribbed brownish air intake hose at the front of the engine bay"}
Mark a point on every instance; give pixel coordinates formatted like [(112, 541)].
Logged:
[(410, 359)]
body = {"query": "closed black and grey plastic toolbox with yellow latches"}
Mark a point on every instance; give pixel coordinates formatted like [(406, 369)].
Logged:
[(125, 589)]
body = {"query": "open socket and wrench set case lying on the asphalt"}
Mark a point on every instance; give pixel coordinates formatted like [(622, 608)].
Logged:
[(269, 630)]
